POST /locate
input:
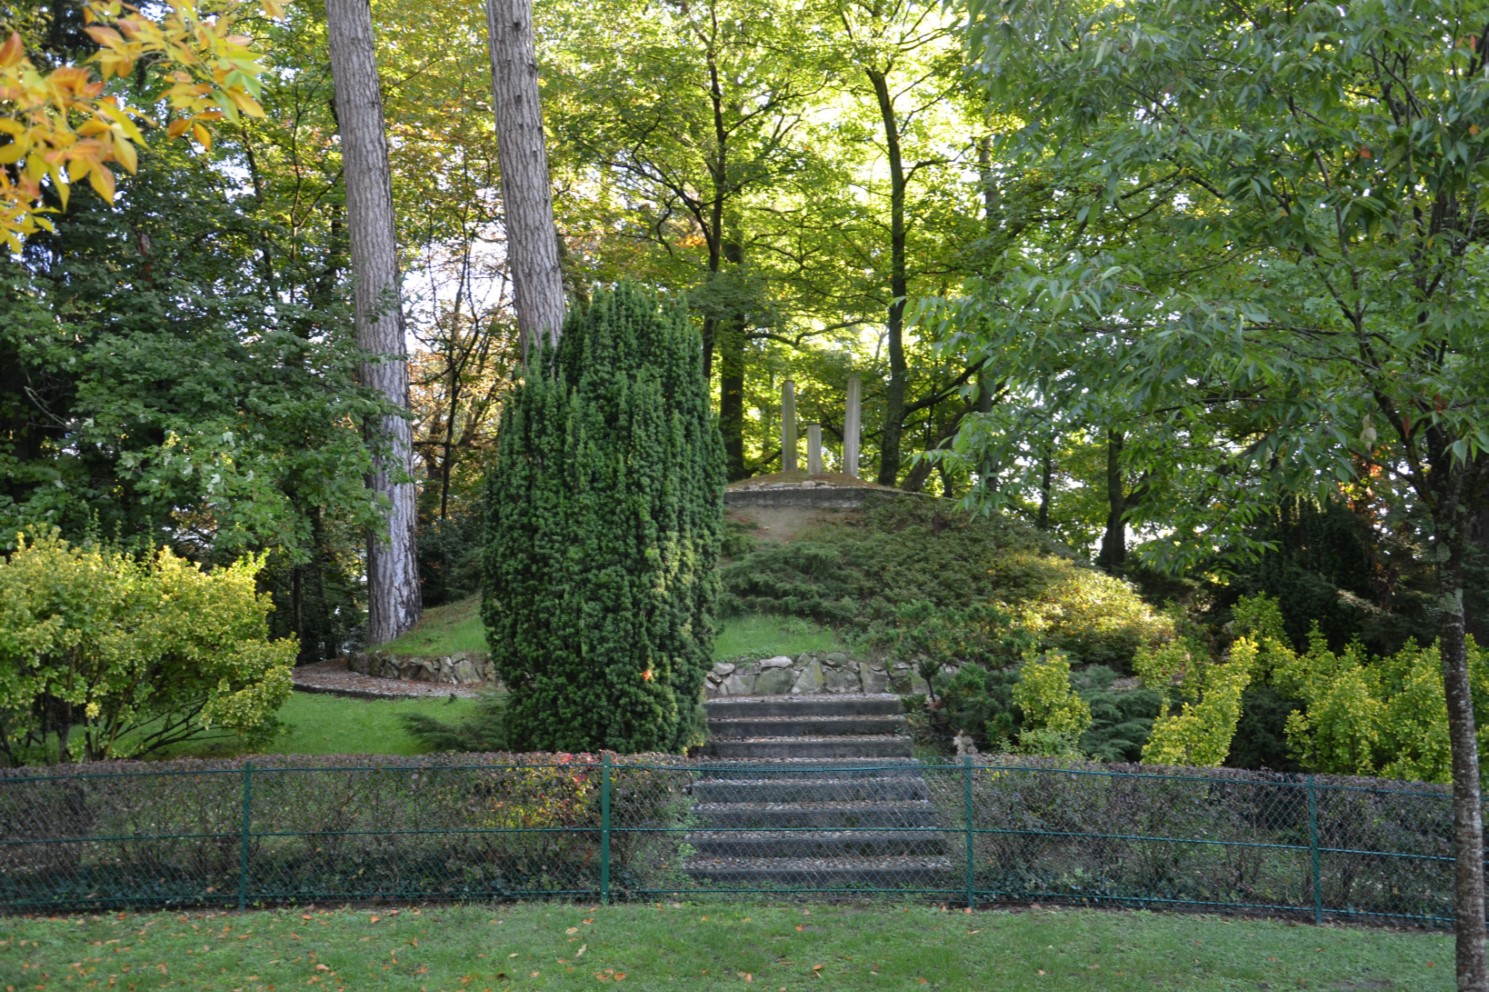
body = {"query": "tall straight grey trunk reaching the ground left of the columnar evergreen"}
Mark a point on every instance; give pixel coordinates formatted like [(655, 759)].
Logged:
[(394, 600)]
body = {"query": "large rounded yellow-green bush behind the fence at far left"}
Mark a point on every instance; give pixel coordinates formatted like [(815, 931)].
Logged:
[(105, 655)]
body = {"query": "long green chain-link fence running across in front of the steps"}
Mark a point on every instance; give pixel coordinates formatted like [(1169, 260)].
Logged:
[(589, 827)]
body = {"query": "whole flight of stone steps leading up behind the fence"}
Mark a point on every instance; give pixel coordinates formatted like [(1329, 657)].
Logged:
[(814, 793)]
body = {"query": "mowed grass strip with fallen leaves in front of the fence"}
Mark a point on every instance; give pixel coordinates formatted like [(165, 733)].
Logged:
[(708, 947)]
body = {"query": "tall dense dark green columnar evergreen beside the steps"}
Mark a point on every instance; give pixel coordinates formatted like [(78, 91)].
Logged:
[(604, 527)]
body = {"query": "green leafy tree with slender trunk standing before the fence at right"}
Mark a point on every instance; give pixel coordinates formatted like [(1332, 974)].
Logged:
[(1296, 299)]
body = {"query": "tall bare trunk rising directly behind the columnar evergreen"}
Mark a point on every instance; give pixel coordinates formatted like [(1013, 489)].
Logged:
[(522, 154)]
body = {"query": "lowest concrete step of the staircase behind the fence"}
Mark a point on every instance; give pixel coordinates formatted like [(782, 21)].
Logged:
[(827, 874)]
